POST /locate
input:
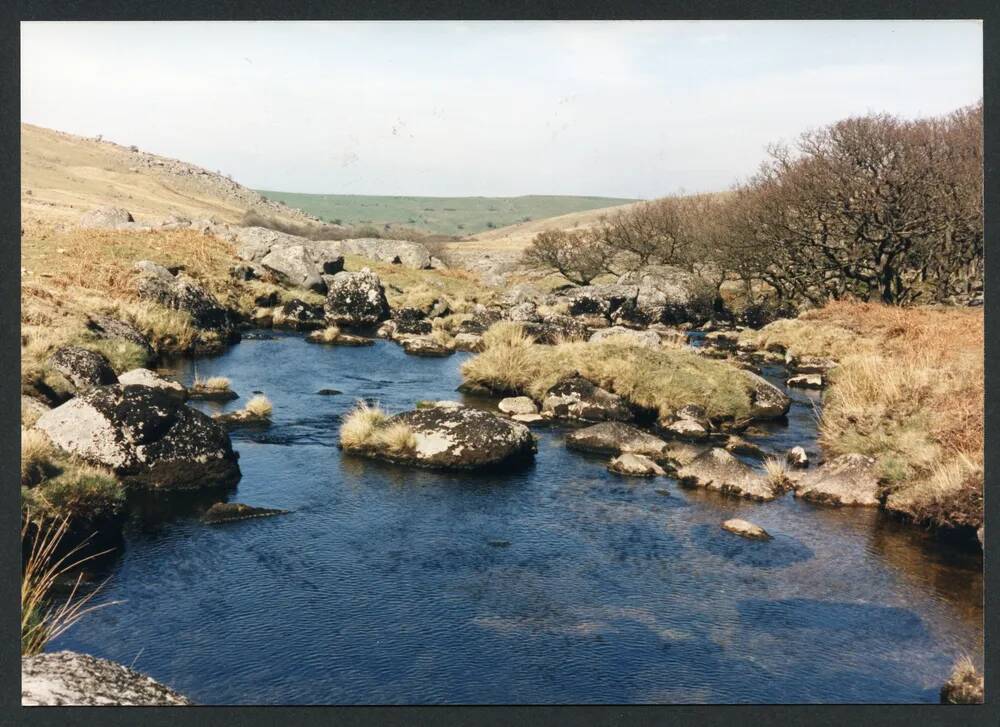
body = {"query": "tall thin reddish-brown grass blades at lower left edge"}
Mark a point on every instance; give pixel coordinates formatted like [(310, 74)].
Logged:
[(42, 619)]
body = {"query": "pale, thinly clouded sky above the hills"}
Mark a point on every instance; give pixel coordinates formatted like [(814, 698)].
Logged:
[(626, 108)]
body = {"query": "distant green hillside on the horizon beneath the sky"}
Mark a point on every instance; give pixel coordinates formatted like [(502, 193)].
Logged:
[(439, 215)]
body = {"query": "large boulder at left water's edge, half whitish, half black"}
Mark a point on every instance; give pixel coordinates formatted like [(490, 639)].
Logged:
[(145, 435)]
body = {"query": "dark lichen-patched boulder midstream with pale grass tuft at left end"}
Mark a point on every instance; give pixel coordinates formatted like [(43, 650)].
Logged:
[(458, 438)]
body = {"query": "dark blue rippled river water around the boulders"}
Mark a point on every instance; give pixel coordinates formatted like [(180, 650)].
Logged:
[(559, 583)]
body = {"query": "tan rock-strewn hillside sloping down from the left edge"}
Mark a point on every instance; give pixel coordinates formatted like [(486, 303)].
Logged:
[(64, 175)]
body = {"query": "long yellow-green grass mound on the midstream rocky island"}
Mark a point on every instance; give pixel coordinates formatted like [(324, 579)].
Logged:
[(661, 380)]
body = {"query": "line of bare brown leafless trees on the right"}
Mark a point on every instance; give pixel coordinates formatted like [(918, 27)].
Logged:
[(875, 207)]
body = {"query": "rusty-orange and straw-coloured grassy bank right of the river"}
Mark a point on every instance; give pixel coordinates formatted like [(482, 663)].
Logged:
[(909, 391)]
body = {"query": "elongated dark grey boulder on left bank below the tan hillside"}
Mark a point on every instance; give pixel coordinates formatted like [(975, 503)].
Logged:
[(182, 292)]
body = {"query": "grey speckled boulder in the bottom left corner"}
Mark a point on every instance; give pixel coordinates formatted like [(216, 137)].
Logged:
[(68, 679)]
